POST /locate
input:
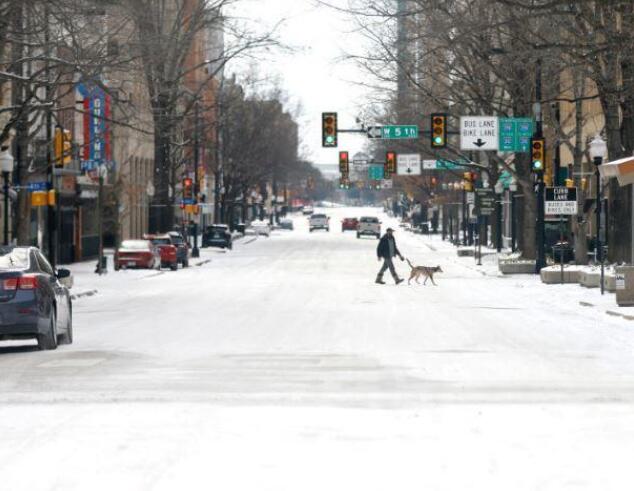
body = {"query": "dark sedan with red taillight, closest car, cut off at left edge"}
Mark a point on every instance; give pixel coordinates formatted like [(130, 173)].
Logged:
[(33, 301)]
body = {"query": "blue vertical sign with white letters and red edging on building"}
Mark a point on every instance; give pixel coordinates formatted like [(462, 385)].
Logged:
[(96, 149)]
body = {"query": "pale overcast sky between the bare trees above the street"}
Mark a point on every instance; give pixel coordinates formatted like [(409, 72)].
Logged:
[(313, 74)]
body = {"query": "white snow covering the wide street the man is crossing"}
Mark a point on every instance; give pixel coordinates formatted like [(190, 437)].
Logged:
[(281, 366)]
